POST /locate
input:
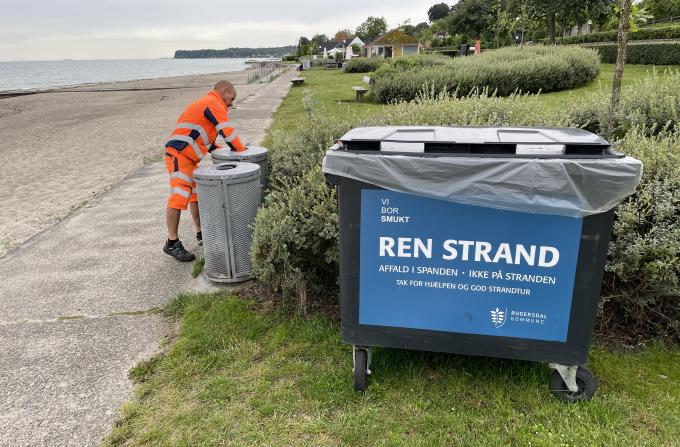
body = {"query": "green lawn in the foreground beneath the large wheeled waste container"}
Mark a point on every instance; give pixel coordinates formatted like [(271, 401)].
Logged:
[(239, 377)]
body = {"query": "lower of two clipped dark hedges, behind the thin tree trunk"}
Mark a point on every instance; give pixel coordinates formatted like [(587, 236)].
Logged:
[(646, 53)]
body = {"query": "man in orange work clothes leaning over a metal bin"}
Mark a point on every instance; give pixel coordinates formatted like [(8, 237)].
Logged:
[(194, 136)]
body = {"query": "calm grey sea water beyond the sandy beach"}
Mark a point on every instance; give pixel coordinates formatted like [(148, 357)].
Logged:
[(43, 74)]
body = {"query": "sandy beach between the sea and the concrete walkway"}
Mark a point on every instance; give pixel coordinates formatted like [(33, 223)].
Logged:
[(61, 149)]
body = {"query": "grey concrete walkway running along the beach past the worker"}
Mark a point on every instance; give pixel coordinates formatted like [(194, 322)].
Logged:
[(77, 301)]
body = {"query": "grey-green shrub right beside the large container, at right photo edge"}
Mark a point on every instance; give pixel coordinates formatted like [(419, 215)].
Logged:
[(641, 293)]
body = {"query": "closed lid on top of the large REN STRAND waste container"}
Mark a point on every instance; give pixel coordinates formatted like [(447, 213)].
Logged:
[(548, 142)]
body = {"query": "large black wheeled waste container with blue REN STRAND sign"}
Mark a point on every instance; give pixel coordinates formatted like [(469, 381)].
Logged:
[(477, 241)]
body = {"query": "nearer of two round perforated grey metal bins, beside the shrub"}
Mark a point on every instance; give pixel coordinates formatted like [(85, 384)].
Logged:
[(228, 197)]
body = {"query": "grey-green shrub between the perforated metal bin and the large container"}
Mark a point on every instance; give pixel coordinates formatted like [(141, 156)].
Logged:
[(294, 246)]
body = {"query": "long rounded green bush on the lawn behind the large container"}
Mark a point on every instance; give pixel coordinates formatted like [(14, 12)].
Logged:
[(504, 71)]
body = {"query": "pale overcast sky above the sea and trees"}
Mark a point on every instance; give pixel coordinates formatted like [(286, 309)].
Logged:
[(131, 29)]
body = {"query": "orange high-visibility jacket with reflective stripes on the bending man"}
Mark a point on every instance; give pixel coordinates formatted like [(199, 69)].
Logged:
[(198, 127)]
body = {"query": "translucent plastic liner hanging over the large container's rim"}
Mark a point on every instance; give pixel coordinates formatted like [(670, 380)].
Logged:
[(561, 186)]
